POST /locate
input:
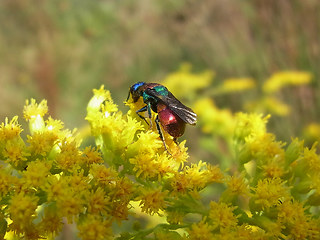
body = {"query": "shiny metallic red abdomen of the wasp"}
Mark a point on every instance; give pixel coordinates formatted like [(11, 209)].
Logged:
[(170, 122)]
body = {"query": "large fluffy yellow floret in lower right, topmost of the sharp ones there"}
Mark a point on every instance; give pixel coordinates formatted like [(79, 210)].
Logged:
[(268, 192)]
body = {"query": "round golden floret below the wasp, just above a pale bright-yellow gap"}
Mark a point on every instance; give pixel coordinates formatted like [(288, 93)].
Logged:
[(152, 201)]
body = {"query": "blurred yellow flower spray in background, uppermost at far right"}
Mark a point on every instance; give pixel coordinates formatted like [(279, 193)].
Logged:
[(286, 78)]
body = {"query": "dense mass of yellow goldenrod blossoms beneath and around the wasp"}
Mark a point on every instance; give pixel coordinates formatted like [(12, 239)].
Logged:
[(110, 190)]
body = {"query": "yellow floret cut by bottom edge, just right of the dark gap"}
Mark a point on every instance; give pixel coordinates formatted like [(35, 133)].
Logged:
[(94, 228)]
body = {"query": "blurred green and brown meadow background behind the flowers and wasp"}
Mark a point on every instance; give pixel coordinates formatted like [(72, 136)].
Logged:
[(60, 50)]
